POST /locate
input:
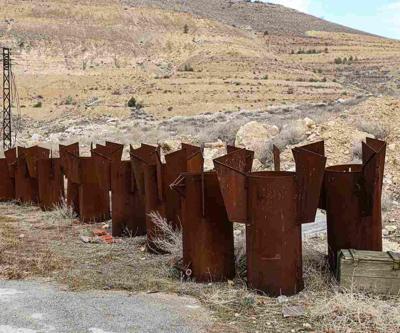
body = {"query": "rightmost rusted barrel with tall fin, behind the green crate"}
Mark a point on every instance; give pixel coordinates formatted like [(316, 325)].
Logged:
[(352, 199)]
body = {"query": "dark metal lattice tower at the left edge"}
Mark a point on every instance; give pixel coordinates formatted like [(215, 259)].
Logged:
[(7, 138)]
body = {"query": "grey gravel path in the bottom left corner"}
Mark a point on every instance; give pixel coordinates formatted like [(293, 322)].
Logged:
[(34, 307)]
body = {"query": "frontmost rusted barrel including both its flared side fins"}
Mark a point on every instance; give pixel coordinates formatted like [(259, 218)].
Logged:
[(273, 205)]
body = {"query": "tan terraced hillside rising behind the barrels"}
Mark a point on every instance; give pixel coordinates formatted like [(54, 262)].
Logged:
[(88, 58)]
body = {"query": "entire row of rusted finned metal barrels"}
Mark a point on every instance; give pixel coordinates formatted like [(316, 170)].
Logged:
[(272, 205)]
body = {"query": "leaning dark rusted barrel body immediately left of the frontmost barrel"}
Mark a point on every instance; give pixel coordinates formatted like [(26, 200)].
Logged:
[(208, 249)]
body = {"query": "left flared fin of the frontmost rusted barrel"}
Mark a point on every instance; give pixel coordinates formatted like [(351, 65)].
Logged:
[(232, 172)]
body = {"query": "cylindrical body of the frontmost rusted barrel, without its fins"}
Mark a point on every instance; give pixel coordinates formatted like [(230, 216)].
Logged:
[(273, 234)]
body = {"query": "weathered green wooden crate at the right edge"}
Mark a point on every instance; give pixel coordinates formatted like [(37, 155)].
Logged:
[(377, 272)]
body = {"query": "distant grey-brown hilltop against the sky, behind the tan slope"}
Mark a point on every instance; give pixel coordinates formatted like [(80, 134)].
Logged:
[(259, 16)]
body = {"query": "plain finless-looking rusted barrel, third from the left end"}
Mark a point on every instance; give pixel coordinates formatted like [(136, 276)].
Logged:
[(51, 183)]
